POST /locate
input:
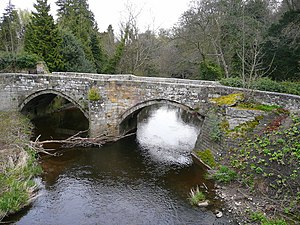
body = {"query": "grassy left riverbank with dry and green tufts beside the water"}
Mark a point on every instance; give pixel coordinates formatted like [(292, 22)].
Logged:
[(18, 164)]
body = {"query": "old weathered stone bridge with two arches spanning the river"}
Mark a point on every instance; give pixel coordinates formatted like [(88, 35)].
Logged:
[(122, 96)]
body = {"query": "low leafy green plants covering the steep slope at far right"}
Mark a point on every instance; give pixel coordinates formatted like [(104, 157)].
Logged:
[(272, 158)]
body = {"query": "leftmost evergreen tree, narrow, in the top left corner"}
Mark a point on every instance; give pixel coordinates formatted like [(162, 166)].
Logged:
[(10, 30)]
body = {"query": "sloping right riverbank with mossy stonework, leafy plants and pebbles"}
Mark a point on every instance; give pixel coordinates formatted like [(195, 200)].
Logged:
[(256, 164)]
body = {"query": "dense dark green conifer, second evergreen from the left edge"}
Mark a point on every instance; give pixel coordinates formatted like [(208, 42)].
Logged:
[(42, 36)]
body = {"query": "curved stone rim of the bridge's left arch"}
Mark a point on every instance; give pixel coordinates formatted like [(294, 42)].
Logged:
[(36, 94)]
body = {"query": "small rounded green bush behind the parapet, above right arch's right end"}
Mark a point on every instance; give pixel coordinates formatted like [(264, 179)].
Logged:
[(210, 71)]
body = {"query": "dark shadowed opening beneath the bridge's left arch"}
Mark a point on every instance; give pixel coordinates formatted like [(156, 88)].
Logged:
[(55, 115)]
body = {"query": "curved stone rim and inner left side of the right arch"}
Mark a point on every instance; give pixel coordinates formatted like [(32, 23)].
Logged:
[(128, 120)]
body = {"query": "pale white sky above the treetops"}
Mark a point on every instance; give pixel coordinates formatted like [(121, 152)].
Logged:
[(152, 14)]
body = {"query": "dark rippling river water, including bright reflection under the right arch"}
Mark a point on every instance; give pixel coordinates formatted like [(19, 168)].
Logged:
[(142, 179)]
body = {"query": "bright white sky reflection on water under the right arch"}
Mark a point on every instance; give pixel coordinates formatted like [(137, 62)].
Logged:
[(165, 137)]
